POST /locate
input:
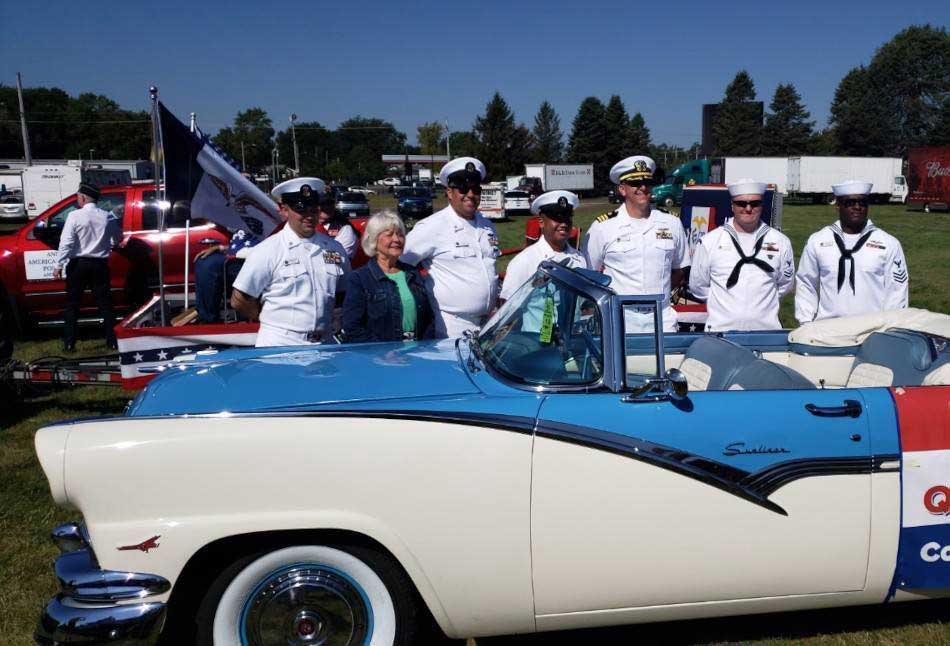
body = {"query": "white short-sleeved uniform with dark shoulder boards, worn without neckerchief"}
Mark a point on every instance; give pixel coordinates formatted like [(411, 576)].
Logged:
[(639, 254)]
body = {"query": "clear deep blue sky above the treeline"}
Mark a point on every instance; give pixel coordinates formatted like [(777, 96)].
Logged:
[(411, 63)]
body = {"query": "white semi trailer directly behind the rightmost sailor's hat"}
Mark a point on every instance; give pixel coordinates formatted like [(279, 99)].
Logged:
[(812, 177)]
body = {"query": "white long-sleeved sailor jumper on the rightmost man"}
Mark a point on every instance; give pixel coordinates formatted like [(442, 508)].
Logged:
[(880, 275)]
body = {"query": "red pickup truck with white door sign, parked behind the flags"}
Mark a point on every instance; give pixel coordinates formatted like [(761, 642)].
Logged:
[(30, 296)]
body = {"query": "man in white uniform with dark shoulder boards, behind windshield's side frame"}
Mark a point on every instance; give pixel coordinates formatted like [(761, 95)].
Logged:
[(643, 250)]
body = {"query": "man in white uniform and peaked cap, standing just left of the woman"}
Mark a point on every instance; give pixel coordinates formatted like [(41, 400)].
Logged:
[(295, 273)]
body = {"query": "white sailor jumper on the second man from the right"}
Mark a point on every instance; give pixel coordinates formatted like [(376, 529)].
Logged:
[(752, 302)]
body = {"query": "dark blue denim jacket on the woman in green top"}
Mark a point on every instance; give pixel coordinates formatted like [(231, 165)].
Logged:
[(372, 309)]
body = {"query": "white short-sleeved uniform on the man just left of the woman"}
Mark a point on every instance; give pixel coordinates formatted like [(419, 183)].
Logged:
[(297, 279)]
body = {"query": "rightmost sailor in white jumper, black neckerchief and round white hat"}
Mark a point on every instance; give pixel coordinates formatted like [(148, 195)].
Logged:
[(851, 266)]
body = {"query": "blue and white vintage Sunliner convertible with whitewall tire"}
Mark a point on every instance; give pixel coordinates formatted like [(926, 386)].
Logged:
[(551, 472)]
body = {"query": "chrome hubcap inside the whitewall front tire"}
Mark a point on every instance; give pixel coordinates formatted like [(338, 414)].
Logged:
[(305, 605)]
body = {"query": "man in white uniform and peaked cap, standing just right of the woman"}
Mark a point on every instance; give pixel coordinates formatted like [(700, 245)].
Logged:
[(458, 246)]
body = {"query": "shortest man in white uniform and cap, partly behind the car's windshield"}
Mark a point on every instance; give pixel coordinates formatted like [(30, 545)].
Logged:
[(556, 210)]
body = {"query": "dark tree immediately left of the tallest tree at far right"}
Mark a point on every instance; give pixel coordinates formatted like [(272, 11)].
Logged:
[(860, 124)]
